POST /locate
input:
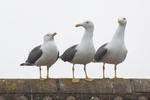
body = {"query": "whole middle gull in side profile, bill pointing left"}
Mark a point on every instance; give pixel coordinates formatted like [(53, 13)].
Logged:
[(82, 53)]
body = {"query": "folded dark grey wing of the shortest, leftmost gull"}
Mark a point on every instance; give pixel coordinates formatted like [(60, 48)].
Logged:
[(34, 55)]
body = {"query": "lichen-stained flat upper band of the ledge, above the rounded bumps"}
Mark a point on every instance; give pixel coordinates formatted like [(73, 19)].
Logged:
[(106, 86)]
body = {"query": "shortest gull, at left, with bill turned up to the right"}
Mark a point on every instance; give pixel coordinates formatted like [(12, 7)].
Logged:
[(43, 55)]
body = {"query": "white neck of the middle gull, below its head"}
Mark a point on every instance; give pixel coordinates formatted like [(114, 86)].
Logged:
[(88, 35)]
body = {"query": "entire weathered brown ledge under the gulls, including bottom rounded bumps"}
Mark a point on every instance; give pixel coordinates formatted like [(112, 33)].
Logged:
[(64, 89)]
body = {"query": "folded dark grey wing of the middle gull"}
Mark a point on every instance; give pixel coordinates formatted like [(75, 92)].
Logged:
[(69, 53)]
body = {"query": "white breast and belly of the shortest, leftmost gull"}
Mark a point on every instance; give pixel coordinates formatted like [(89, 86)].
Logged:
[(49, 55)]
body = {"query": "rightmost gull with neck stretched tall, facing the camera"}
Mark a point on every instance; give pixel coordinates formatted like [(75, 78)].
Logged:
[(115, 51)]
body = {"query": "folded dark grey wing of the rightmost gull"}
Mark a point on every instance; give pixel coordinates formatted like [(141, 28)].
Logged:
[(100, 53)]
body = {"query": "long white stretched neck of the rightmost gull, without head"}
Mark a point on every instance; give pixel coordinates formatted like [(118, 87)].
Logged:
[(119, 33)]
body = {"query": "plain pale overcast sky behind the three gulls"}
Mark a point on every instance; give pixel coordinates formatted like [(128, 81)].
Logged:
[(23, 23)]
